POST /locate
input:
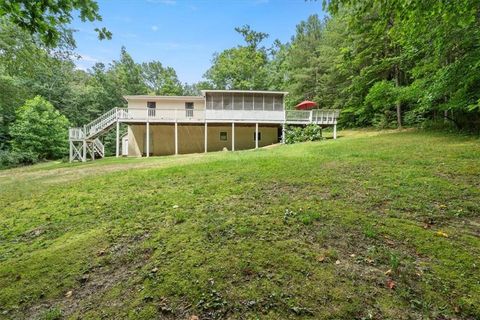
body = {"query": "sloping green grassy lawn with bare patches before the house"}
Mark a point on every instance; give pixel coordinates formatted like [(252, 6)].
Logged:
[(372, 225)]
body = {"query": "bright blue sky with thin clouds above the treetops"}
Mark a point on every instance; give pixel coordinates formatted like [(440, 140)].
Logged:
[(185, 34)]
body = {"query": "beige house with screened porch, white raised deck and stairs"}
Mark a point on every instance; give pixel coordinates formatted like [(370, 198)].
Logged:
[(216, 120)]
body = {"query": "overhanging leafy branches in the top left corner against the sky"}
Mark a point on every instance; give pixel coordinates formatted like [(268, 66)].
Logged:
[(48, 19)]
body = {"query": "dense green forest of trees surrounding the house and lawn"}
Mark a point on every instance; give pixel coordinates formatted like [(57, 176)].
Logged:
[(383, 63)]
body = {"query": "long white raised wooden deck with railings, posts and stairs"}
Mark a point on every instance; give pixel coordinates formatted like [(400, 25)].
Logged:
[(85, 139)]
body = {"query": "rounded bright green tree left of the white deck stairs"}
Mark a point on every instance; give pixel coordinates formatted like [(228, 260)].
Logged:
[(40, 129)]
